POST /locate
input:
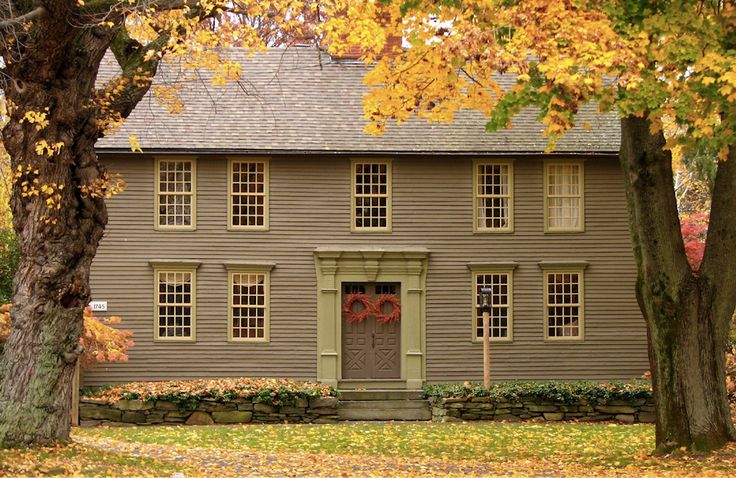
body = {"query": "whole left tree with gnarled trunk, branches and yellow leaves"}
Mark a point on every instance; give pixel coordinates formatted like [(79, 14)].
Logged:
[(51, 53)]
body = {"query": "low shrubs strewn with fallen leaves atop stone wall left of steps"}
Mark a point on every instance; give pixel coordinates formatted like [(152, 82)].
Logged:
[(187, 394)]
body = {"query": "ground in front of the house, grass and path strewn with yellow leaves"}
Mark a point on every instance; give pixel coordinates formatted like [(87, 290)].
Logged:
[(360, 449)]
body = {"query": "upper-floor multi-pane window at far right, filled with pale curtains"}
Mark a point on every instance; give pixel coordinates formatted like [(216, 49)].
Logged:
[(564, 197)]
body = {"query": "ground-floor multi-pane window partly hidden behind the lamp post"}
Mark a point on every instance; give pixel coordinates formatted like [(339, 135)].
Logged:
[(500, 301)]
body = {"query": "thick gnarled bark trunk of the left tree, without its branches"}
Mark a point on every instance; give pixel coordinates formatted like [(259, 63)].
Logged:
[(57, 243)]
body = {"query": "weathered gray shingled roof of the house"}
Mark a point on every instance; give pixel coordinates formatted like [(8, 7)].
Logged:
[(299, 100)]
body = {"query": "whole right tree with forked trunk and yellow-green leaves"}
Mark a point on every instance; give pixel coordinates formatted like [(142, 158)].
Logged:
[(655, 63)]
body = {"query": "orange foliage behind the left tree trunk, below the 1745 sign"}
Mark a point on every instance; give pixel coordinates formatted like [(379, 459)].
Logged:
[(102, 343)]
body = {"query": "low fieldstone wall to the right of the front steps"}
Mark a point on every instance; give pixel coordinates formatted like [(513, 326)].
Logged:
[(483, 408)]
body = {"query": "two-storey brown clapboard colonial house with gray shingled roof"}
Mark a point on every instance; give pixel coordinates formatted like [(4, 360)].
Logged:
[(255, 214)]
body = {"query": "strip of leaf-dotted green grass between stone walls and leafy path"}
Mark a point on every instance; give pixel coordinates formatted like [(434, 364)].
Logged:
[(607, 445)]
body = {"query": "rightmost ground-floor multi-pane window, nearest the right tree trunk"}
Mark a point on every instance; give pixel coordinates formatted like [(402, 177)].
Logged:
[(564, 304)]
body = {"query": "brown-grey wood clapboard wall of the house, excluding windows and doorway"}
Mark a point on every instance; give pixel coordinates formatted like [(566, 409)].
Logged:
[(432, 208)]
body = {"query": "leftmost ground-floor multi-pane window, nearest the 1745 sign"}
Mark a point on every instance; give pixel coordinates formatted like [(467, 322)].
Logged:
[(175, 304)]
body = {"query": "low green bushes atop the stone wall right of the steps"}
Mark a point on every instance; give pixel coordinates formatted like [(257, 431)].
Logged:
[(548, 391)]
